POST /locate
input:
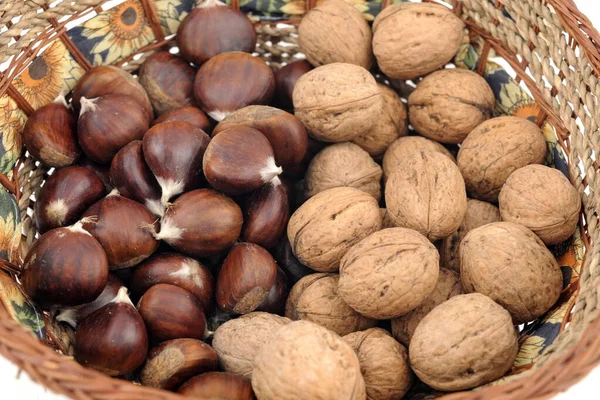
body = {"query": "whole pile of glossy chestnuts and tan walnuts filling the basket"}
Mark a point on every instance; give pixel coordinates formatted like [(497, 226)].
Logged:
[(226, 231)]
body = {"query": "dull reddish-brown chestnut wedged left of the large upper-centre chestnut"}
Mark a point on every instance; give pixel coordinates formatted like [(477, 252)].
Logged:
[(168, 80)]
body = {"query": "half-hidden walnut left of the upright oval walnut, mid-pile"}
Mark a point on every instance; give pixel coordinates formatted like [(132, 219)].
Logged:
[(343, 164)]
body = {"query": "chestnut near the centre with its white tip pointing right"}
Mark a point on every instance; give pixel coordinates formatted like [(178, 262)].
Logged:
[(239, 160)]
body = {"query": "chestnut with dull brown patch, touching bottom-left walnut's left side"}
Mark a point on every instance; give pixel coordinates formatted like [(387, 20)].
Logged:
[(185, 358)]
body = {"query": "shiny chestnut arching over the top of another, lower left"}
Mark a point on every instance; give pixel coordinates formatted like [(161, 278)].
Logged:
[(174, 269)]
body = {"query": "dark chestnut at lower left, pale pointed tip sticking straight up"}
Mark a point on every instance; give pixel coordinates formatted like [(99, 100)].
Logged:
[(112, 339)]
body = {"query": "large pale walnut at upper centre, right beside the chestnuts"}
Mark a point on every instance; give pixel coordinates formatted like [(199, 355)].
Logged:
[(337, 102)]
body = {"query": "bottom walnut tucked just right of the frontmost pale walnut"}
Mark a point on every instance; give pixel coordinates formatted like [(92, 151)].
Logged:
[(383, 363)]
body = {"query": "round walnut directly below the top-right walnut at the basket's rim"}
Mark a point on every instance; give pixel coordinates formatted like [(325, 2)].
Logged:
[(450, 103)]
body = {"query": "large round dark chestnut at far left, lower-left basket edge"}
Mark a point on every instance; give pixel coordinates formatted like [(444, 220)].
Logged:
[(65, 267)]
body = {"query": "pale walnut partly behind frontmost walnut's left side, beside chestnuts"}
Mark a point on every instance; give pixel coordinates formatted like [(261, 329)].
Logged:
[(238, 341)]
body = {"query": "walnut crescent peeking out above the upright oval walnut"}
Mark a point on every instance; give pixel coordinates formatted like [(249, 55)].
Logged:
[(404, 146)]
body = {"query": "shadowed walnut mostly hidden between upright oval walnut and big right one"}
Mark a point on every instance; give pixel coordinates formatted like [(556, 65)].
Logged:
[(479, 213)]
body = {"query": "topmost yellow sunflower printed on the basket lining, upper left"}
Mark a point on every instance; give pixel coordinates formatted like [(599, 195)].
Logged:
[(124, 29)]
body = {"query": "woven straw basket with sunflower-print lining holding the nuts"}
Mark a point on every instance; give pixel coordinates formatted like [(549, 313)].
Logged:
[(553, 49)]
